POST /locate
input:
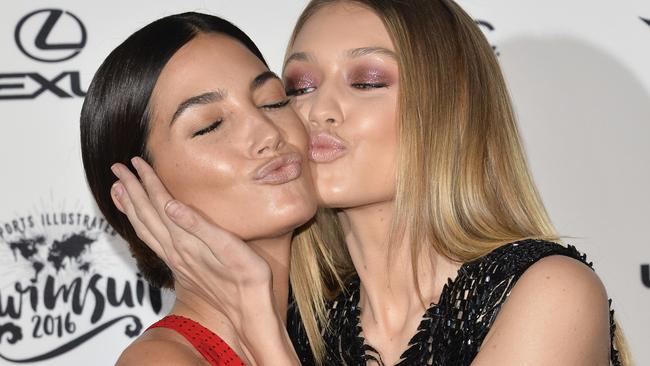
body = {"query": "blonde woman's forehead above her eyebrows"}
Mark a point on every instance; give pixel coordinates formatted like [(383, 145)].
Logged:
[(341, 26)]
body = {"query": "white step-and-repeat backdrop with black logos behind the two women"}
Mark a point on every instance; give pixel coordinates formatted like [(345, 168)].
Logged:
[(579, 73)]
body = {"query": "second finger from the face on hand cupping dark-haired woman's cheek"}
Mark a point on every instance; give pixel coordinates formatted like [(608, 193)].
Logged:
[(143, 210)]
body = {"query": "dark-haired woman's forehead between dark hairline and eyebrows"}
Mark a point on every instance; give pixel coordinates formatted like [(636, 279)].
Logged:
[(206, 63)]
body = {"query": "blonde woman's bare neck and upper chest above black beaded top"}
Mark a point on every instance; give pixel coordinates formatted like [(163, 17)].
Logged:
[(389, 295)]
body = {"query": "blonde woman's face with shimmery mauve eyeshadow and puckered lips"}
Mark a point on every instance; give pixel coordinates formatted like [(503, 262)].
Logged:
[(342, 70)]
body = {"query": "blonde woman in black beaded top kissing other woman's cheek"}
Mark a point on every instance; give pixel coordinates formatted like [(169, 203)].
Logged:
[(436, 248)]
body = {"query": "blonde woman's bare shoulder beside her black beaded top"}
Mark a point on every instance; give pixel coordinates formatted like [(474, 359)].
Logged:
[(557, 314)]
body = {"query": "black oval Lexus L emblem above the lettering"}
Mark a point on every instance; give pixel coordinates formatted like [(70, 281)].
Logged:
[(50, 35)]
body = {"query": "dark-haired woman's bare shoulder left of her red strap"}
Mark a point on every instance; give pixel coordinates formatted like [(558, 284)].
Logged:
[(160, 347)]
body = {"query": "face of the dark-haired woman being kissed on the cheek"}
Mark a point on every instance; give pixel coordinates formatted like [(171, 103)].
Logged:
[(224, 140)]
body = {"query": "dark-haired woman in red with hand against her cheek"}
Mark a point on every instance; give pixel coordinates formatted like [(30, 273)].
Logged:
[(193, 95)]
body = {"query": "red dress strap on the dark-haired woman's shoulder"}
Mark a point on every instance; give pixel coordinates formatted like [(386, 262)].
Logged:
[(210, 345)]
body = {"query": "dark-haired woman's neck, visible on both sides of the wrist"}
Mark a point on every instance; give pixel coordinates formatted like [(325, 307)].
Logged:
[(276, 252)]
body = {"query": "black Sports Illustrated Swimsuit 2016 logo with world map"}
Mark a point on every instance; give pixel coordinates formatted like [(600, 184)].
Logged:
[(62, 284)]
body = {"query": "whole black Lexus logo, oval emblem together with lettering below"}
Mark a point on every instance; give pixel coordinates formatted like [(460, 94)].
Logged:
[(51, 36)]
